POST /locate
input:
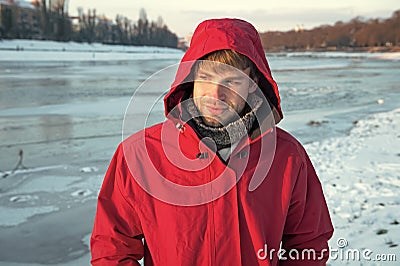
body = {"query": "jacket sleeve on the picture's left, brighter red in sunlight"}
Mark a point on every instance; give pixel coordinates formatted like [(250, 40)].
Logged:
[(117, 235)]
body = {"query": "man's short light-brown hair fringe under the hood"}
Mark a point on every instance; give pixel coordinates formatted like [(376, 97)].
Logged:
[(229, 57)]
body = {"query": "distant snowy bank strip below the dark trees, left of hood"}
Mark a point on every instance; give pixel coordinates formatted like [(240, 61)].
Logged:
[(23, 50)]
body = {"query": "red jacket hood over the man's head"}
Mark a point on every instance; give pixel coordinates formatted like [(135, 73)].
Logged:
[(220, 34)]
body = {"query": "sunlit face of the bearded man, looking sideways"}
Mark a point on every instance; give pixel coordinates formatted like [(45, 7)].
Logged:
[(220, 93)]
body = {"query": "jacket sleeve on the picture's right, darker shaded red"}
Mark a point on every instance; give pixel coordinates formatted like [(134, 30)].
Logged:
[(308, 225)]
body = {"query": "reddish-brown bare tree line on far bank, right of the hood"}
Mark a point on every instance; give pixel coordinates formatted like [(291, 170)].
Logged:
[(355, 34)]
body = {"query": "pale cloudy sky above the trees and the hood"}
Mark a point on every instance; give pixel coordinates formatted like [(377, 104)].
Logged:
[(182, 17)]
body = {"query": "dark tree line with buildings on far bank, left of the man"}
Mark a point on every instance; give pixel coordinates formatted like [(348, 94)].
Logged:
[(50, 21)]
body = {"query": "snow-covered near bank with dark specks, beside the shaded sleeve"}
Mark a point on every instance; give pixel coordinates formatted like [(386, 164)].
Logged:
[(361, 180)]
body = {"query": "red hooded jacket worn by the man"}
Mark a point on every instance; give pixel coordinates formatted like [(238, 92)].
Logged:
[(174, 198)]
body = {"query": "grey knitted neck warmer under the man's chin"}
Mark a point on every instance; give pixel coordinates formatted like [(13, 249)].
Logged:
[(226, 135)]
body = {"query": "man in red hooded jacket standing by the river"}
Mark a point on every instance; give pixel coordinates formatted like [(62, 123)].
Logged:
[(216, 183)]
